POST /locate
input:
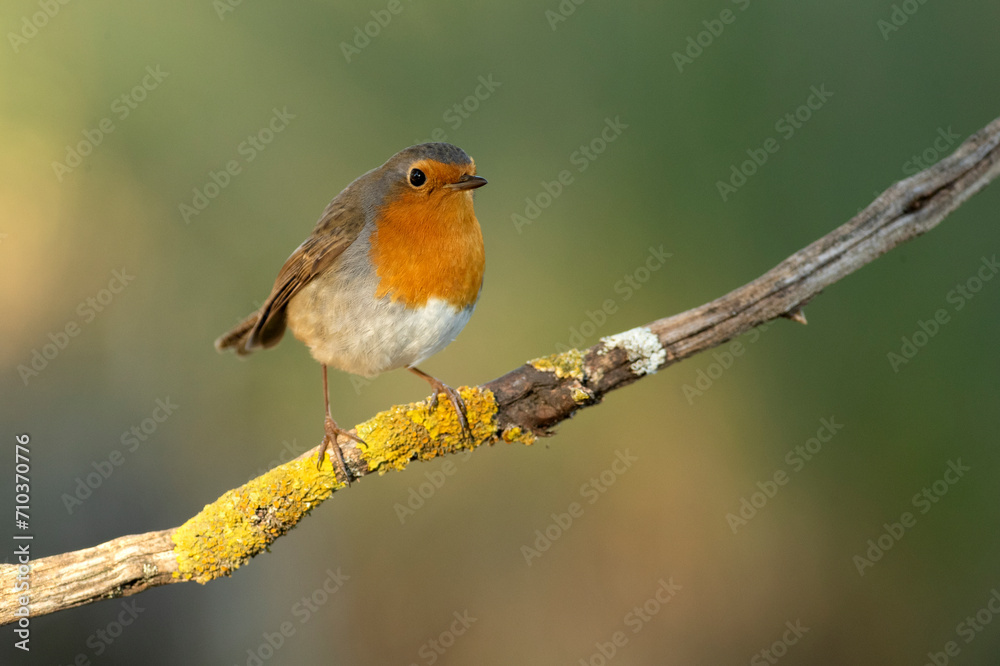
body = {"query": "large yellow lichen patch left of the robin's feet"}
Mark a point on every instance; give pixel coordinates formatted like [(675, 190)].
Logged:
[(244, 521)]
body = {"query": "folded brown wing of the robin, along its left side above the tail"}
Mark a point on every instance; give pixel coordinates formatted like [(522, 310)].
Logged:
[(339, 226)]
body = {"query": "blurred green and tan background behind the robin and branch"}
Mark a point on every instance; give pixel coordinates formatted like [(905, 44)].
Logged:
[(221, 72)]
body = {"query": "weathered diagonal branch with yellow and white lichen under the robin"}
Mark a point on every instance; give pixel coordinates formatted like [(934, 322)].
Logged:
[(516, 407)]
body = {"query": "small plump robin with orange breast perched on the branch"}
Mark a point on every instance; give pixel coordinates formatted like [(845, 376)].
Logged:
[(389, 276)]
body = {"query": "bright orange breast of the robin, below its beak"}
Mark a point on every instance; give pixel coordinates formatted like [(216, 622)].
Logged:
[(426, 247)]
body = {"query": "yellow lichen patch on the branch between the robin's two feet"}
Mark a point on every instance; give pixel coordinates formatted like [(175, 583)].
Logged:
[(407, 432)]
